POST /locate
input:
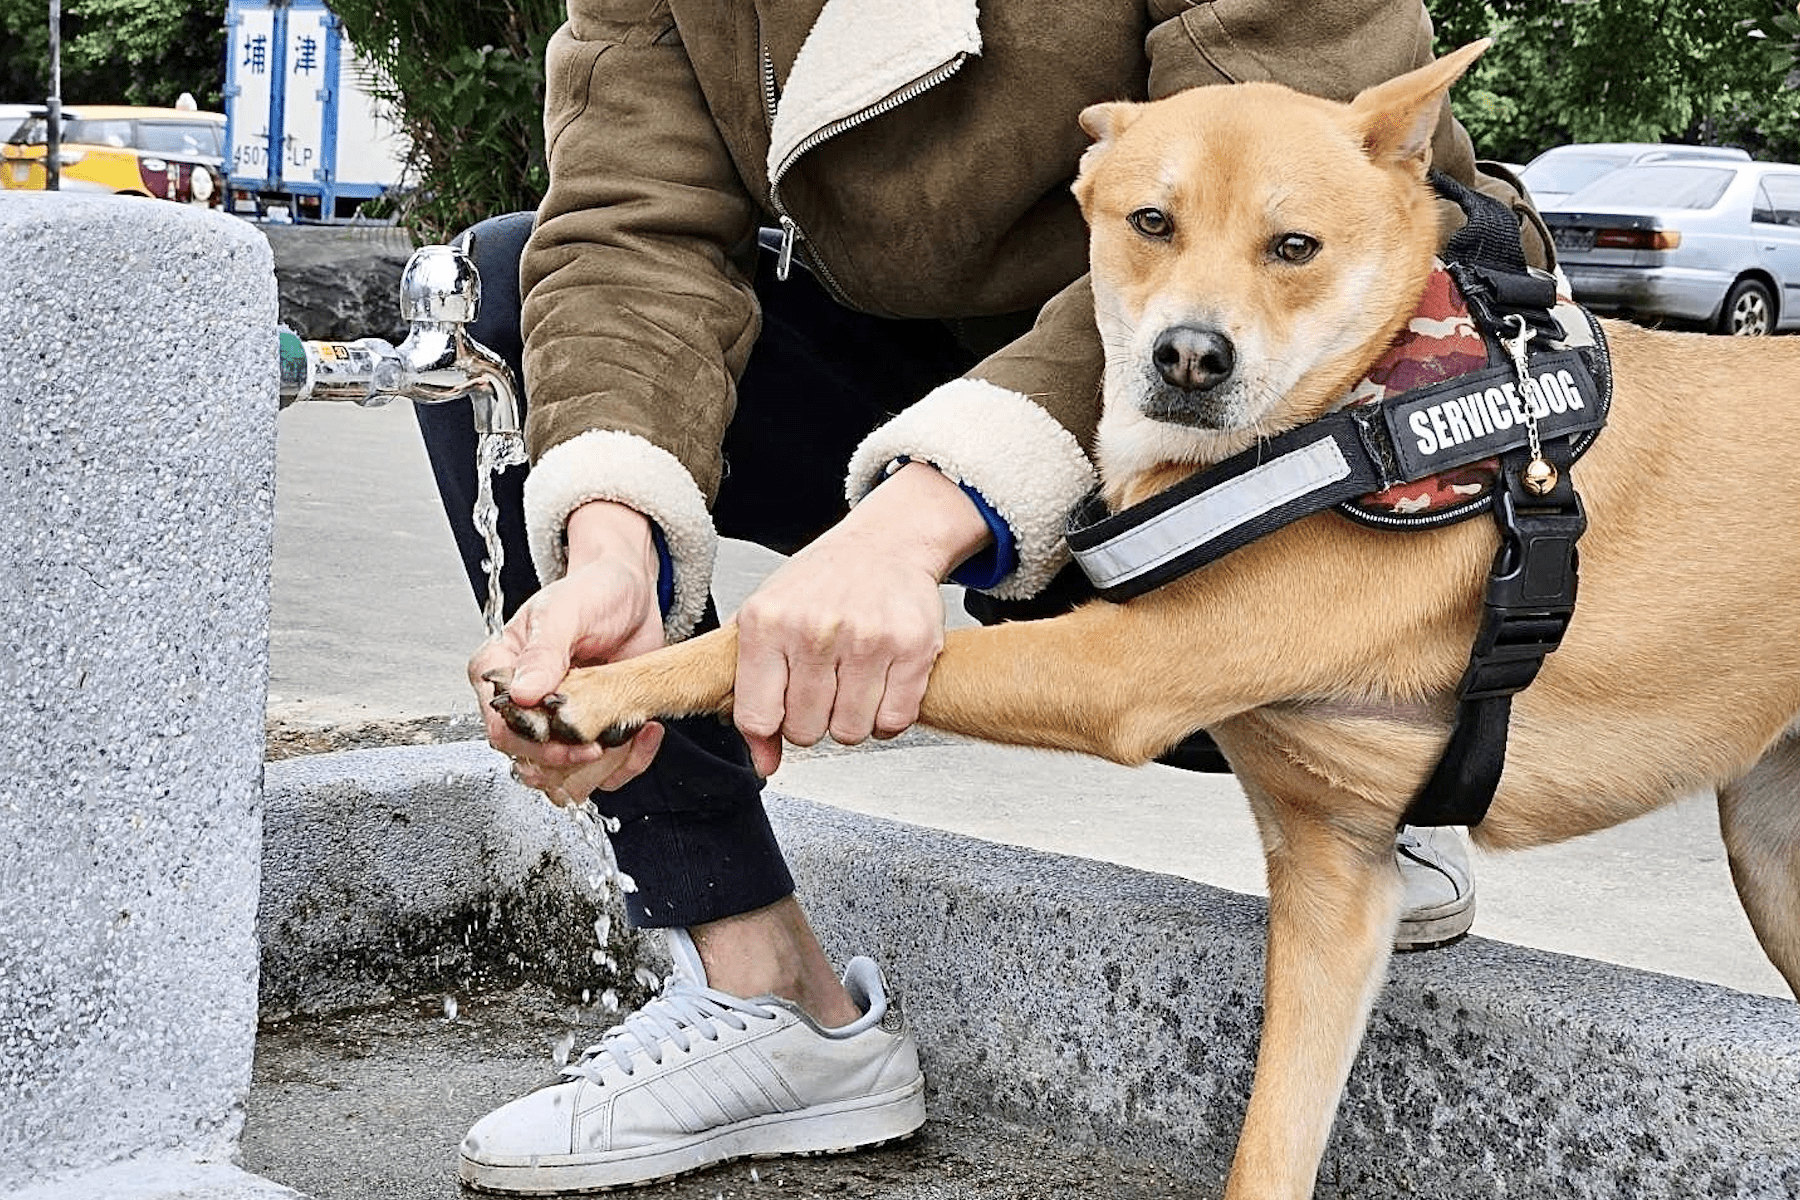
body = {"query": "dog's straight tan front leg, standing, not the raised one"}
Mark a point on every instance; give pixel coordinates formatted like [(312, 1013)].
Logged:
[(1335, 897)]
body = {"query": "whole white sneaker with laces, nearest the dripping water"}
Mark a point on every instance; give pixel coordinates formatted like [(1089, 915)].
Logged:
[(697, 1079)]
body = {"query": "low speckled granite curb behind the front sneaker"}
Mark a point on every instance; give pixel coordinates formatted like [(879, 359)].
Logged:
[(1111, 1005)]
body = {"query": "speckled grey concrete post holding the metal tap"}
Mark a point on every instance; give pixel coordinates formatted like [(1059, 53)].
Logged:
[(138, 451)]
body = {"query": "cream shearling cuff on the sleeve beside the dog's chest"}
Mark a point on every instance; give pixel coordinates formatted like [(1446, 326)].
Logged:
[(989, 438)]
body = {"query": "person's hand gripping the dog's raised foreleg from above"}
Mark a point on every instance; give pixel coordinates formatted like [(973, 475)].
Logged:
[(841, 640)]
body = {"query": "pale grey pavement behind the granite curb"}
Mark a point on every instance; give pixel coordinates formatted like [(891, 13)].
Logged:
[(373, 620)]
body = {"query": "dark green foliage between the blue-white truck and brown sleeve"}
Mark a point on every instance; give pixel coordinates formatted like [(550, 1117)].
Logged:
[(469, 82)]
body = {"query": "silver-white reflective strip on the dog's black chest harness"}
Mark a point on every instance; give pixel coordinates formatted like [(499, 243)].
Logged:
[(1200, 519)]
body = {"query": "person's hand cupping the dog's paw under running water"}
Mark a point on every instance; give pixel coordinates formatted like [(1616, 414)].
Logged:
[(604, 609)]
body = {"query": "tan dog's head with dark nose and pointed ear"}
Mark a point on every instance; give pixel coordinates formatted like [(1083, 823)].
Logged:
[(1254, 251)]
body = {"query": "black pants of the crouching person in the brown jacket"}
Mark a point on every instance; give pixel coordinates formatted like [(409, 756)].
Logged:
[(694, 834)]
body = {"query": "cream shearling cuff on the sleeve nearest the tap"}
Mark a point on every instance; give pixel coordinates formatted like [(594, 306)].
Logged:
[(609, 465)]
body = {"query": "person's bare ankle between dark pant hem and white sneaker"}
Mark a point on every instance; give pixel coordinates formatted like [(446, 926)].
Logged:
[(775, 953)]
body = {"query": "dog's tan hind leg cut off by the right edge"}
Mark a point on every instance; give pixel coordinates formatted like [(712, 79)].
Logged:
[(1759, 816)]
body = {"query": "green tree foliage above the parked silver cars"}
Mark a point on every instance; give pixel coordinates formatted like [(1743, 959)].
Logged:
[(1630, 71)]
